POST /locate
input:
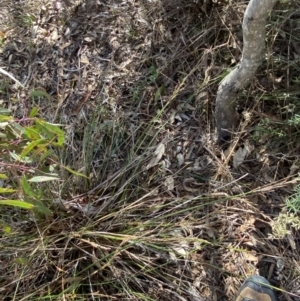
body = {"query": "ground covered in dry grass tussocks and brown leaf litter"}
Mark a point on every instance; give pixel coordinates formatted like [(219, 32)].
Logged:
[(163, 214)]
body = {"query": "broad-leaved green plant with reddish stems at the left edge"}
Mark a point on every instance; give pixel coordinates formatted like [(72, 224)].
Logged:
[(28, 158)]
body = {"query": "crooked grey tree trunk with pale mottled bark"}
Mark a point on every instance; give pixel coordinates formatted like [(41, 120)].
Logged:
[(254, 32)]
